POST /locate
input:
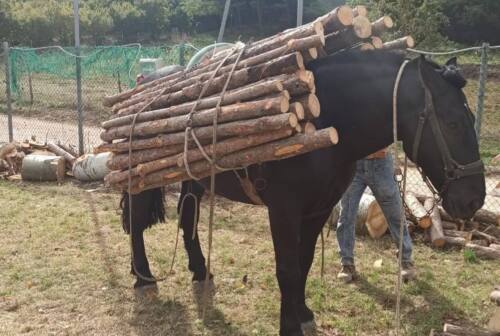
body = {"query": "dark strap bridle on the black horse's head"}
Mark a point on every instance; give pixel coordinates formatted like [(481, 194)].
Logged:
[(452, 169)]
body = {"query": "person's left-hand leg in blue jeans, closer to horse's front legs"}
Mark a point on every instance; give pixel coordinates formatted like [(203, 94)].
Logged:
[(349, 205)]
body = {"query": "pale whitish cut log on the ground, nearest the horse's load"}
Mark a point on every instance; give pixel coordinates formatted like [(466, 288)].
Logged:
[(91, 167)]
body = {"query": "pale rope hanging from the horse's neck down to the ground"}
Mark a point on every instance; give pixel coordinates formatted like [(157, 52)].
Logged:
[(397, 174)]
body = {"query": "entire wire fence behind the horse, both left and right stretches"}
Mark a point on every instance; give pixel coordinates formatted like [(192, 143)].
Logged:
[(43, 94)]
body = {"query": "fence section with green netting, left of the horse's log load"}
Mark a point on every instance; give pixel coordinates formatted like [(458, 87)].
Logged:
[(43, 88)]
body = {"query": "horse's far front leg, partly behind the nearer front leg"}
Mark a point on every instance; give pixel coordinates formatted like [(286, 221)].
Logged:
[(310, 230)]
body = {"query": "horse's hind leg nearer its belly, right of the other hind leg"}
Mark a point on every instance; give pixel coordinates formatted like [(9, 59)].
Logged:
[(189, 203)]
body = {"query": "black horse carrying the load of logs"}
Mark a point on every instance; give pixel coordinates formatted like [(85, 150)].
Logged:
[(355, 90)]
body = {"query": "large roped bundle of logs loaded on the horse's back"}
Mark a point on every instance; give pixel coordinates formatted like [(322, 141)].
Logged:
[(261, 96)]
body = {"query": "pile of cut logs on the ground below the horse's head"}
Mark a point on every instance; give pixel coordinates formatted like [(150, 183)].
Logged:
[(480, 235)]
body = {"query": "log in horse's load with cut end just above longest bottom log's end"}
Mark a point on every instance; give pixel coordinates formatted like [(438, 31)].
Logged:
[(232, 129)]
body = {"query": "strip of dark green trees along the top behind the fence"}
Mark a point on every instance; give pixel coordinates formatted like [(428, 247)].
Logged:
[(430, 22)]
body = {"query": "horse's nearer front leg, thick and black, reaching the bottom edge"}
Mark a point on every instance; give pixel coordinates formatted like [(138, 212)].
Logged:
[(285, 229)]
